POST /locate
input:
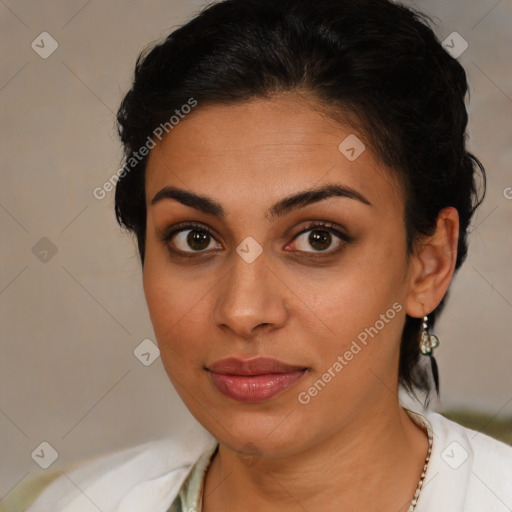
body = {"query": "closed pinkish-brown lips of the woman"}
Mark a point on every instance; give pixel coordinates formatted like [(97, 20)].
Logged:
[(254, 380)]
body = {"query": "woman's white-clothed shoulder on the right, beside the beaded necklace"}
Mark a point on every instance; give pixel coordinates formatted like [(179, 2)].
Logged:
[(468, 471)]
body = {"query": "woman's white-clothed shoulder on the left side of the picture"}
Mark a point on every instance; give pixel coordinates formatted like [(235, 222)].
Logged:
[(144, 477)]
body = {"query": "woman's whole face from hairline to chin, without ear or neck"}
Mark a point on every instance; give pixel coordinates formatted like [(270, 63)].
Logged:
[(318, 284)]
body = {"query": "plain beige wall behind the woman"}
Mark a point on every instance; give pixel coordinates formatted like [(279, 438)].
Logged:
[(70, 325)]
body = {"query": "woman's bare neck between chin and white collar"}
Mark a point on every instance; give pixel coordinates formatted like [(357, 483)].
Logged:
[(373, 464)]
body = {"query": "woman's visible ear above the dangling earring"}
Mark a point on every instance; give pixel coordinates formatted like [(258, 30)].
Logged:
[(433, 264)]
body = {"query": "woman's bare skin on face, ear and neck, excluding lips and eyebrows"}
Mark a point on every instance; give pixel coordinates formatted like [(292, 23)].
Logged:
[(352, 447)]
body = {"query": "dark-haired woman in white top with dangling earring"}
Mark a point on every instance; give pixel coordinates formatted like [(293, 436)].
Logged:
[(298, 182)]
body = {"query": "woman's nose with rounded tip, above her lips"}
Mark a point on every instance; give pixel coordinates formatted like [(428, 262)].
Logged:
[(251, 299)]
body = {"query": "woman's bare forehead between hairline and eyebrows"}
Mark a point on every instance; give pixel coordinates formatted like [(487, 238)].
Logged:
[(265, 146)]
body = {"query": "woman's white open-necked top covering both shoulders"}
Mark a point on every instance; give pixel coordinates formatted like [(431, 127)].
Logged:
[(467, 472)]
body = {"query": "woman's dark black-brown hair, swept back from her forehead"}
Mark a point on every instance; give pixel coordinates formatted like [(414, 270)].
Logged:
[(375, 61)]
